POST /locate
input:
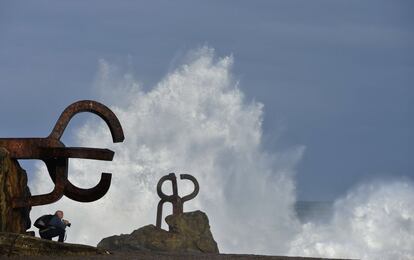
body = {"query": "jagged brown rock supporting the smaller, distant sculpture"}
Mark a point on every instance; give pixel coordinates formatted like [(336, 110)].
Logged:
[(188, 232)]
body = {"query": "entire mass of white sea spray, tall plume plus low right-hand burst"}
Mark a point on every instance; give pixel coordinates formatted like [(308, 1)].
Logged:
[(197, 121)]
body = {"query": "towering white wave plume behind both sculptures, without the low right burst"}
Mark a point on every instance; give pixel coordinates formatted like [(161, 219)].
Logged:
[(196, 121)]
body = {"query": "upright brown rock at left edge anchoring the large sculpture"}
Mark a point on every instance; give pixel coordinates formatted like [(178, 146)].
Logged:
[(13, 184)]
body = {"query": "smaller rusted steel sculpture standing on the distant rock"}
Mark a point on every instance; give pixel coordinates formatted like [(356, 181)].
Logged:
[(176, 201)]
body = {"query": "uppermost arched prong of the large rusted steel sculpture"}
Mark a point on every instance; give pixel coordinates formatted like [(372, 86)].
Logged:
[(93, 107)]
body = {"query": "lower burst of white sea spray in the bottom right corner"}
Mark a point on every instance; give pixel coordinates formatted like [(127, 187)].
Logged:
[(373, 221)]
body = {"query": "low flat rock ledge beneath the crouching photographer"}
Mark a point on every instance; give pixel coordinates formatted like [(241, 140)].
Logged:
[(12, 244)]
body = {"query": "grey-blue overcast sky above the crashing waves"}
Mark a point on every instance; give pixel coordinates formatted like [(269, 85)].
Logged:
[(334, 76)]
